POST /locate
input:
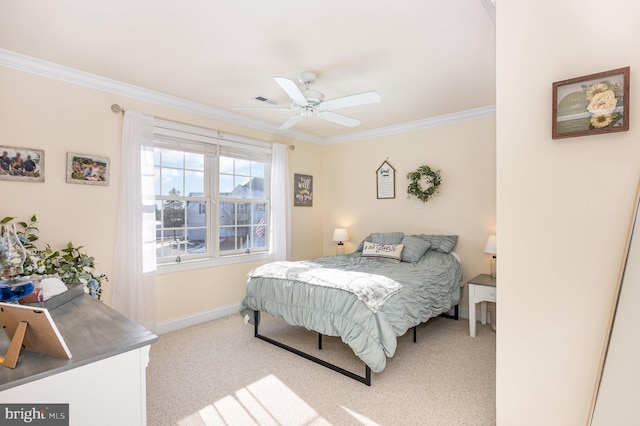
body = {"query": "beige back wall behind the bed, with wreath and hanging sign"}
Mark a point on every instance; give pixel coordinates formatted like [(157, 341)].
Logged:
[(465, 205)]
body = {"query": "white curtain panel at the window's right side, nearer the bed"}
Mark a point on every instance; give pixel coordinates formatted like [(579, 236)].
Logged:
[(280, 204)]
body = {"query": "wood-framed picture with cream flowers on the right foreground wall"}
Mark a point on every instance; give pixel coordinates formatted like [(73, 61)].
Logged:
[(591, 105)]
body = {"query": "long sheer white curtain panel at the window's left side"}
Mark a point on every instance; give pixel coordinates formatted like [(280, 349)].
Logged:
[(135, 257)]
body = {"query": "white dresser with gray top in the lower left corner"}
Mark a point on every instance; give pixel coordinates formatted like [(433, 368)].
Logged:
[(104, 382)]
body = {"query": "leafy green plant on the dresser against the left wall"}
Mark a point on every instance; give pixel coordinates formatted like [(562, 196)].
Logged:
[(70, 263)]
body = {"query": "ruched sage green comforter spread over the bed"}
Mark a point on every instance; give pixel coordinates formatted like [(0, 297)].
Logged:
[(430, 287)]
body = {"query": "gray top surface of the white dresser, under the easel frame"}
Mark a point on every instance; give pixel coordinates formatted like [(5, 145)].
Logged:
[(92, 331)]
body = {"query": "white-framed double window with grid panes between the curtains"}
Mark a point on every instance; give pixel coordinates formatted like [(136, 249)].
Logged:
[(212, 195)]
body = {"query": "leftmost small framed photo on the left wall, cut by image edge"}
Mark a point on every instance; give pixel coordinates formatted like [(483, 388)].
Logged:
[(21, 164)]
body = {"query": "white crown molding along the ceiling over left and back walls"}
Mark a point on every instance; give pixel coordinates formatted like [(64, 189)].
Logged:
[(50, 70)]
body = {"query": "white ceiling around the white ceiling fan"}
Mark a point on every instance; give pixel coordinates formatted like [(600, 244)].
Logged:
[(425, 58)]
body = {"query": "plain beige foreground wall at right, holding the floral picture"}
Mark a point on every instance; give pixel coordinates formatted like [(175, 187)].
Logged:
[(563, 206)]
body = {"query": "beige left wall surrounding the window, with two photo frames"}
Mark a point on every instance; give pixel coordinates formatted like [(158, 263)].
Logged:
[(58, 117)]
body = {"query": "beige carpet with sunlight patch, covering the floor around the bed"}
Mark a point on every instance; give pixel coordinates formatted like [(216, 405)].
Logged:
[(219, 374)]
